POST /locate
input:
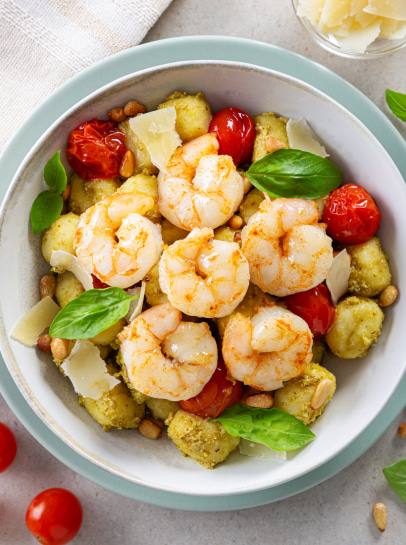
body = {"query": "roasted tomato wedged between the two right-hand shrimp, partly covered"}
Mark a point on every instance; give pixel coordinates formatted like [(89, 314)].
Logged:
[(315, 307)]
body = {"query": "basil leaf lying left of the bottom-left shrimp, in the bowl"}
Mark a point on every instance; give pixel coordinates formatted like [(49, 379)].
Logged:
[(91, 313)]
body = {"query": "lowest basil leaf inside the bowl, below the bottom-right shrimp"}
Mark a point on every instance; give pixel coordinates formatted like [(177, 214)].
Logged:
[(274, 428)]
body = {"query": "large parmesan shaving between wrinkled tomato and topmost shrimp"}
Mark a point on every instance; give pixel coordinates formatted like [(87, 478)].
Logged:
[(157, 132)]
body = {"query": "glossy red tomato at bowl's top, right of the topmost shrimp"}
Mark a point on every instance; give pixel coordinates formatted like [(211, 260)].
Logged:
[(235, 131)]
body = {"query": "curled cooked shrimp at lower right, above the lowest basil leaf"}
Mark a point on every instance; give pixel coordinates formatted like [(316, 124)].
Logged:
[(273, 346)]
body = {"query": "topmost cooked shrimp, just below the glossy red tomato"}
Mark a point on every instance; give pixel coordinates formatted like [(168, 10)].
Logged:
[(199, 187)]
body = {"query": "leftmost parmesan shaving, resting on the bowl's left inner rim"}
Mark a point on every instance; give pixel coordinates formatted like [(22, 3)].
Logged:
[(29, 328)]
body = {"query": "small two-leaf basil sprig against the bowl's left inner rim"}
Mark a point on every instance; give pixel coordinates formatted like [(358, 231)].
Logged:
[(47, 207)]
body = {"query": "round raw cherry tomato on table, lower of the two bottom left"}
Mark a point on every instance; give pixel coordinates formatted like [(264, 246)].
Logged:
[(54, 516)]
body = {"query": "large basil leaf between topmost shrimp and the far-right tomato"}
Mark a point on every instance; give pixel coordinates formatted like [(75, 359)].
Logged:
[(294, 173)]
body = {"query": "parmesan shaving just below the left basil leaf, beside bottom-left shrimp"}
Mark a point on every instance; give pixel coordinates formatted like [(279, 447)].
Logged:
[(87, 371)]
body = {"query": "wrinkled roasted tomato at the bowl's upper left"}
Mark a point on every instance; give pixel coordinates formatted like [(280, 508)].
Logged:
[(95, 149)]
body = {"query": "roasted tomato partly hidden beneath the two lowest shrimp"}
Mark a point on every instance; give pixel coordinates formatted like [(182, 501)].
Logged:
[(218, 394)]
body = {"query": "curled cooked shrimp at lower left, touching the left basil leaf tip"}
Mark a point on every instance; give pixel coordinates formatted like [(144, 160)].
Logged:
[(166, 358)]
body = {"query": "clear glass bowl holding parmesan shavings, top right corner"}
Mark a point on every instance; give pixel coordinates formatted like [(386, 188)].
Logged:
[(378, 48)]
